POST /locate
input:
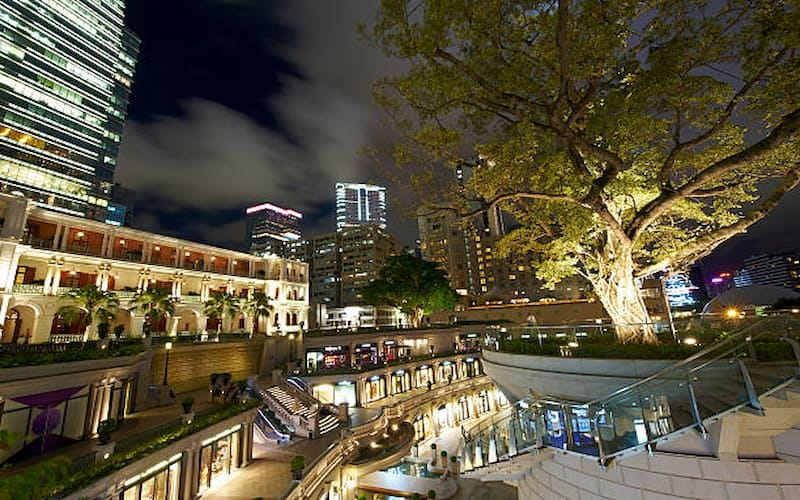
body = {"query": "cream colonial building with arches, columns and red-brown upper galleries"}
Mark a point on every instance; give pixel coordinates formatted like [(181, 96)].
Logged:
[(44, 253)]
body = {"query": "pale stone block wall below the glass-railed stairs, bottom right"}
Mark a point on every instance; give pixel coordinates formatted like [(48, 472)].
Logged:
[(660, 477)]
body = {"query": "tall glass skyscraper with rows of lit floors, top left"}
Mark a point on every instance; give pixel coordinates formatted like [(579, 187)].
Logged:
[(66, 70)]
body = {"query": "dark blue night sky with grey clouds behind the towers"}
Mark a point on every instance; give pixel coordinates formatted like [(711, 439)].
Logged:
[(237, 102)]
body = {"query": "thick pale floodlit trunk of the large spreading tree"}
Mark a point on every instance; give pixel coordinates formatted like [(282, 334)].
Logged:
[(618, 290)]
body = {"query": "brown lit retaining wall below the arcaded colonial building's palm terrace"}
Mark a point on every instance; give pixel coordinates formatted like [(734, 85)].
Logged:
[(190, 365)]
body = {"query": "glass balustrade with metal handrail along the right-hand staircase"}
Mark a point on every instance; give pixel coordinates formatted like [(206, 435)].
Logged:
[(728, 376)]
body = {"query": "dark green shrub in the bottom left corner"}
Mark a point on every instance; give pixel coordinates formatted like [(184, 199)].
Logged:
[(37, 481)]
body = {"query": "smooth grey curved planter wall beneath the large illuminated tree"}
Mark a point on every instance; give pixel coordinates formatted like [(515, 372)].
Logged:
[(573, 379)]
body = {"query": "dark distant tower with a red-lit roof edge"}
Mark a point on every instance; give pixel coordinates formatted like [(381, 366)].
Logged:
[(269, 227)]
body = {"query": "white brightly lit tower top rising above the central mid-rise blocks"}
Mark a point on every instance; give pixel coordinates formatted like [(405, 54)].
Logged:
[(360, 204)]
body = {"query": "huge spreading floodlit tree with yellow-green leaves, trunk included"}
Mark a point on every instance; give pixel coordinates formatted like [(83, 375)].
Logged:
[(626, 137)]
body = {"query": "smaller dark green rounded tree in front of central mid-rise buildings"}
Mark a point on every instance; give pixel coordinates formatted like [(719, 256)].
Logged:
[(413, 285)]
